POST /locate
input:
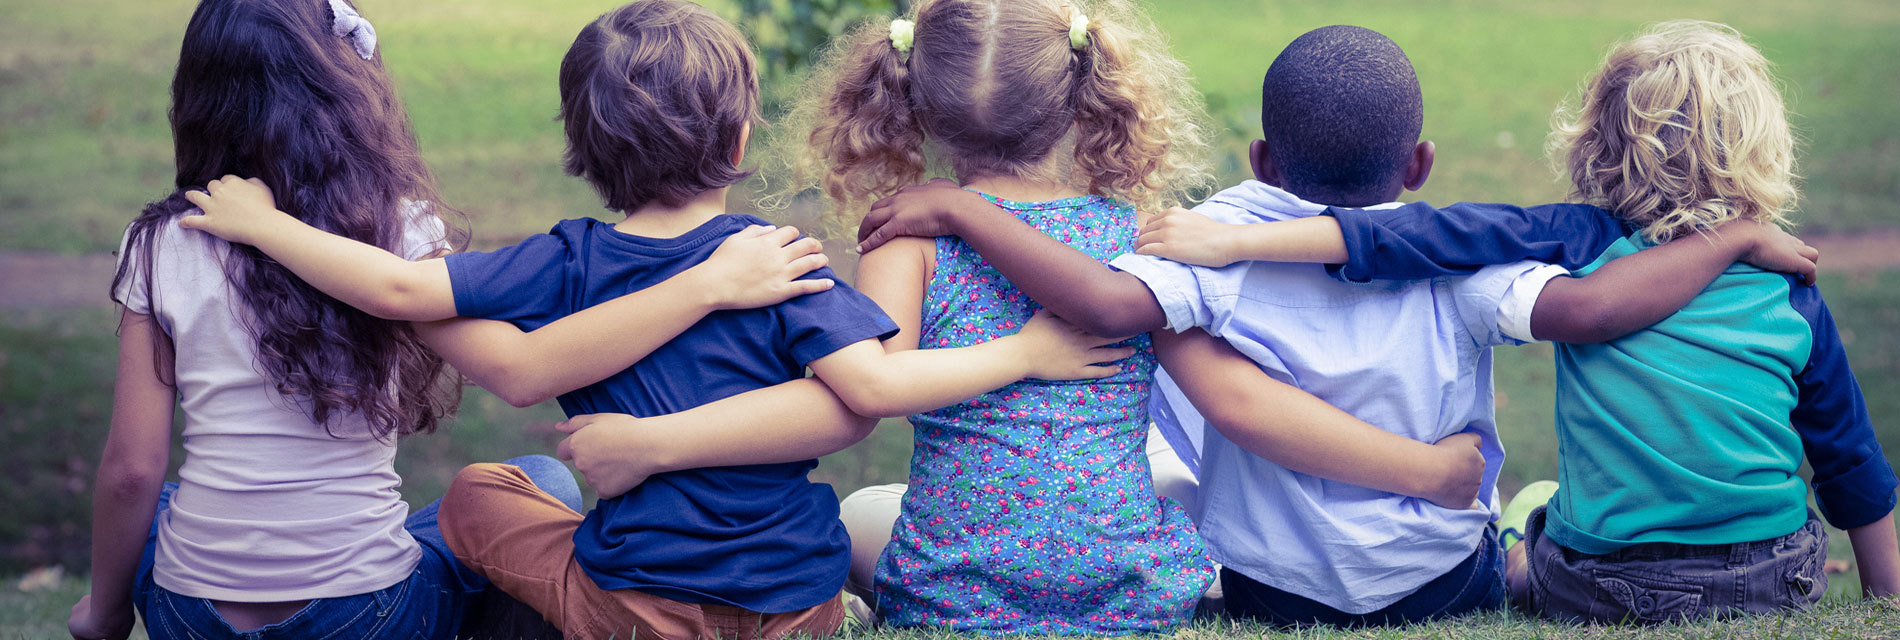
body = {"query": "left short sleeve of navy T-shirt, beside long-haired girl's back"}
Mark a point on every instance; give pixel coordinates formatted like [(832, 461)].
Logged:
[(525, 284)]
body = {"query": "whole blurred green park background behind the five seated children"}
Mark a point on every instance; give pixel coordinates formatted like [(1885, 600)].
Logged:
[(85, 143)]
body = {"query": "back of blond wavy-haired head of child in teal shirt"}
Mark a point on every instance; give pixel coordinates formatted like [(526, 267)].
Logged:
[(1679, 132)]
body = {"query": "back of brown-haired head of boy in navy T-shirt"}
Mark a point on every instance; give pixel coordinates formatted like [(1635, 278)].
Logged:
[(656, 98)]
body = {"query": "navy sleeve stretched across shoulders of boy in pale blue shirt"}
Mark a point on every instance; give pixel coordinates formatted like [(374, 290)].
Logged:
[(1418, 240)]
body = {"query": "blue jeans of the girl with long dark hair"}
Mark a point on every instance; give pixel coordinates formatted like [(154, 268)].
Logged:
[(430, 605)]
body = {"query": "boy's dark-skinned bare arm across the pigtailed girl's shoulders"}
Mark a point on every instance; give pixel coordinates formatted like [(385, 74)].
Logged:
[(1071, 284)]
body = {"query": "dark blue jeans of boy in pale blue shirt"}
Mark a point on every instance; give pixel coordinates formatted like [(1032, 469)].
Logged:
[(1472, 586)]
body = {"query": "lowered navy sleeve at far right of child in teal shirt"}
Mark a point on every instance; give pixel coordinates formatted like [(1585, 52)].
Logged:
[(1853, 481)]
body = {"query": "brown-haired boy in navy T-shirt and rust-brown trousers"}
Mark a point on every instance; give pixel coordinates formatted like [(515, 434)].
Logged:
[(658, 100)]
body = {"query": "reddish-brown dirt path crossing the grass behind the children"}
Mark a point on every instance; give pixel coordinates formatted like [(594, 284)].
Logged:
[(35, 280)]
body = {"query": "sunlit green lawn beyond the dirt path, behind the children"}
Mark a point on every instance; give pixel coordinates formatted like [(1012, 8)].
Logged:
[(85, 90)]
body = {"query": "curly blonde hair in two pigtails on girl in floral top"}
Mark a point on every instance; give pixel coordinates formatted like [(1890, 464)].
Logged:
[(995, 88)]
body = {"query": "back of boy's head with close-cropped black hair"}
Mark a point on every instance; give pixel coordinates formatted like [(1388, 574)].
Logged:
[(1340, 111)]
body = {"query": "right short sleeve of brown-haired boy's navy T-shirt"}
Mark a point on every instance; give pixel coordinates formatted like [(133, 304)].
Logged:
[(826, 322)]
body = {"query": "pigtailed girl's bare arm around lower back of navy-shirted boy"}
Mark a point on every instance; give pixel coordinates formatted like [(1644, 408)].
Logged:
[(788, 423)]
